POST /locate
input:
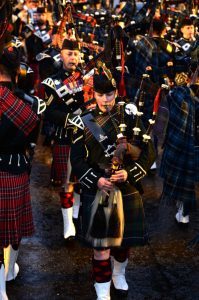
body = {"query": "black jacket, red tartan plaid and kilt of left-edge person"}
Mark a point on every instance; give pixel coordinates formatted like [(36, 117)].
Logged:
[(17, 124)]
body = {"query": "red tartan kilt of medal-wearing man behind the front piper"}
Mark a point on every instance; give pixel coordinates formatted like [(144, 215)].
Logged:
[(59, 165)]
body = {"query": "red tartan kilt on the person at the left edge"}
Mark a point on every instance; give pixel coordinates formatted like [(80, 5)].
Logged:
[(16, 219)]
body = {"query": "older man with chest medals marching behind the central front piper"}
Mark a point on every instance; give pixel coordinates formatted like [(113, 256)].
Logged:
[(63, 99)]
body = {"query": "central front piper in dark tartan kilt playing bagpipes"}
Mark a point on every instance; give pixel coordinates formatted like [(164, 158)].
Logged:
[(110, 167)]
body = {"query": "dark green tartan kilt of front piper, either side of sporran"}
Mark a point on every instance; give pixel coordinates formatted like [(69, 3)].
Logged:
[(134, 225)]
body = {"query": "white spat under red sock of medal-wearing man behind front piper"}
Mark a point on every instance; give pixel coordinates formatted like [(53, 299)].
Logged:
[(69, 227)]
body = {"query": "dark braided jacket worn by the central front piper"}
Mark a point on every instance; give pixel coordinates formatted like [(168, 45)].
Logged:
[(89, 160)]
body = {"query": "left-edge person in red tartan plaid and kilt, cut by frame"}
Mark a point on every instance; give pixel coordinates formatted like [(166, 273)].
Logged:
[(18, 119)]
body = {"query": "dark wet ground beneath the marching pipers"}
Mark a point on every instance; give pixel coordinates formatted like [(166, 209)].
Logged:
[(53, 269)]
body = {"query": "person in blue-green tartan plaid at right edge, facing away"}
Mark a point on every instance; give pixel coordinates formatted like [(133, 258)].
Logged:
[(179, 164)]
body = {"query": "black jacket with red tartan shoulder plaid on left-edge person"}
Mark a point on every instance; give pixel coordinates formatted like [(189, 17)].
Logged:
[(18, 121)]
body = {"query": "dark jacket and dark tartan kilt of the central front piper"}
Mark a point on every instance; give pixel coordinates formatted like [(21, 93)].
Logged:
[(89, 161)]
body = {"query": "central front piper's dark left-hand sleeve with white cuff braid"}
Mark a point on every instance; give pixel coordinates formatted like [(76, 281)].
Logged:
[(87, 176)]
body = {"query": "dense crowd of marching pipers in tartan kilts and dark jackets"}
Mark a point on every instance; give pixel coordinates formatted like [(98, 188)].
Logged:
[(105, 82)]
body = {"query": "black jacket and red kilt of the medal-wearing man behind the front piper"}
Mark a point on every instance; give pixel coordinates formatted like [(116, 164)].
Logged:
[(61, 101)]
